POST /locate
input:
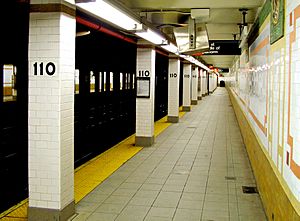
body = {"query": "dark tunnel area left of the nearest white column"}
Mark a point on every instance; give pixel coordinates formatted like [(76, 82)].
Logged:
[(13, 111)]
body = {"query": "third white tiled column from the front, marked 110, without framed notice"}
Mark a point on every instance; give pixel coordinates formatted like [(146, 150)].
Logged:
[(173, 89)]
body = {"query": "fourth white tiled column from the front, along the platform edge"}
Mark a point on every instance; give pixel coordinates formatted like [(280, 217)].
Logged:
[(187, 74)]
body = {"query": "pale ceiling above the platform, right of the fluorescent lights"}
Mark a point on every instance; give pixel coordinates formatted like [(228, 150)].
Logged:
[(222, 23)]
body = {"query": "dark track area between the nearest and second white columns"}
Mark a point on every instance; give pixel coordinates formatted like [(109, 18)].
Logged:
[(103, 116)]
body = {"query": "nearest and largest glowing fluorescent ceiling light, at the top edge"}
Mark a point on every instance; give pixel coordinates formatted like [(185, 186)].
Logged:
[(111, 14)]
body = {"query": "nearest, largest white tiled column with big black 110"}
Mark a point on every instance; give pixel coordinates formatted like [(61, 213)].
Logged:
[(52, 31)]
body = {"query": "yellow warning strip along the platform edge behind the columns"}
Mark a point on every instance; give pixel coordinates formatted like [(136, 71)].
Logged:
[(89, 175)]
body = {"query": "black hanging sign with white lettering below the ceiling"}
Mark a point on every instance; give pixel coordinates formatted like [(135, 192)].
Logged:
[(223, 47)]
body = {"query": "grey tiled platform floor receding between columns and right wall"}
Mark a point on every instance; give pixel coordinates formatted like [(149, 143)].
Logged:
[(195, 171)]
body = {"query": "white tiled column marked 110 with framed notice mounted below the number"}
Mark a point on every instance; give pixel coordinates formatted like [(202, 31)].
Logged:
[(145, 105)]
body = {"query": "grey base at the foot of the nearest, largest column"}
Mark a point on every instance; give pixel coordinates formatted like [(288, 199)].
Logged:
[(37, 214)]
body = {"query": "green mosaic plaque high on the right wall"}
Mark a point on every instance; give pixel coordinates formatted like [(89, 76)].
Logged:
[(277, 20)]
